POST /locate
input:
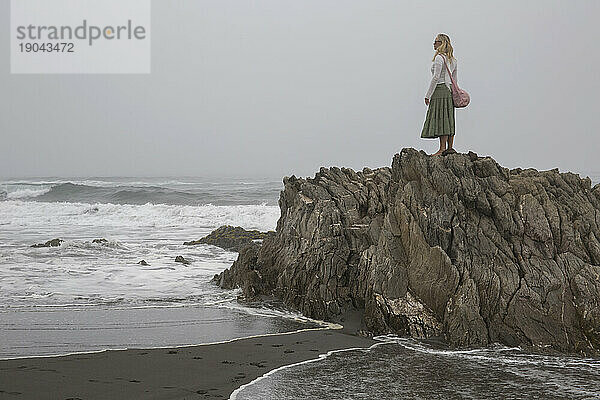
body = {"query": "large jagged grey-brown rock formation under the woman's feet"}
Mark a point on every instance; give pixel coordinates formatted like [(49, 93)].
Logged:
[(455, 246)]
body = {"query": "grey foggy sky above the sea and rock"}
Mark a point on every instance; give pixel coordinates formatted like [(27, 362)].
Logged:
[(273, 88)]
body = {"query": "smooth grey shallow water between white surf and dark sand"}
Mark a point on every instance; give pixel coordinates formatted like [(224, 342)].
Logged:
[(47, 331)]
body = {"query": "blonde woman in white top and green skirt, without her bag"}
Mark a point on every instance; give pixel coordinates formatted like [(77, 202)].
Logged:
[(439, 122)]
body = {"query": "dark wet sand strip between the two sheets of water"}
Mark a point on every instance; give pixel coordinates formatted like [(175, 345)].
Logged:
[(197, 372)]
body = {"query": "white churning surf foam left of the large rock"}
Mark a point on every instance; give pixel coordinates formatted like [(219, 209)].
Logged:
[(83, 272)]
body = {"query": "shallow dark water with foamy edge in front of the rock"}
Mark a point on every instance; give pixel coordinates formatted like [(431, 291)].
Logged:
[(409, 369)]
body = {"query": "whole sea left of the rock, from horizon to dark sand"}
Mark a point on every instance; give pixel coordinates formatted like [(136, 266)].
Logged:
[(85, 296)]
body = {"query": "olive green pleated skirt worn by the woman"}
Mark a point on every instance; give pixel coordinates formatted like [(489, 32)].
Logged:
[(439, 120)]
